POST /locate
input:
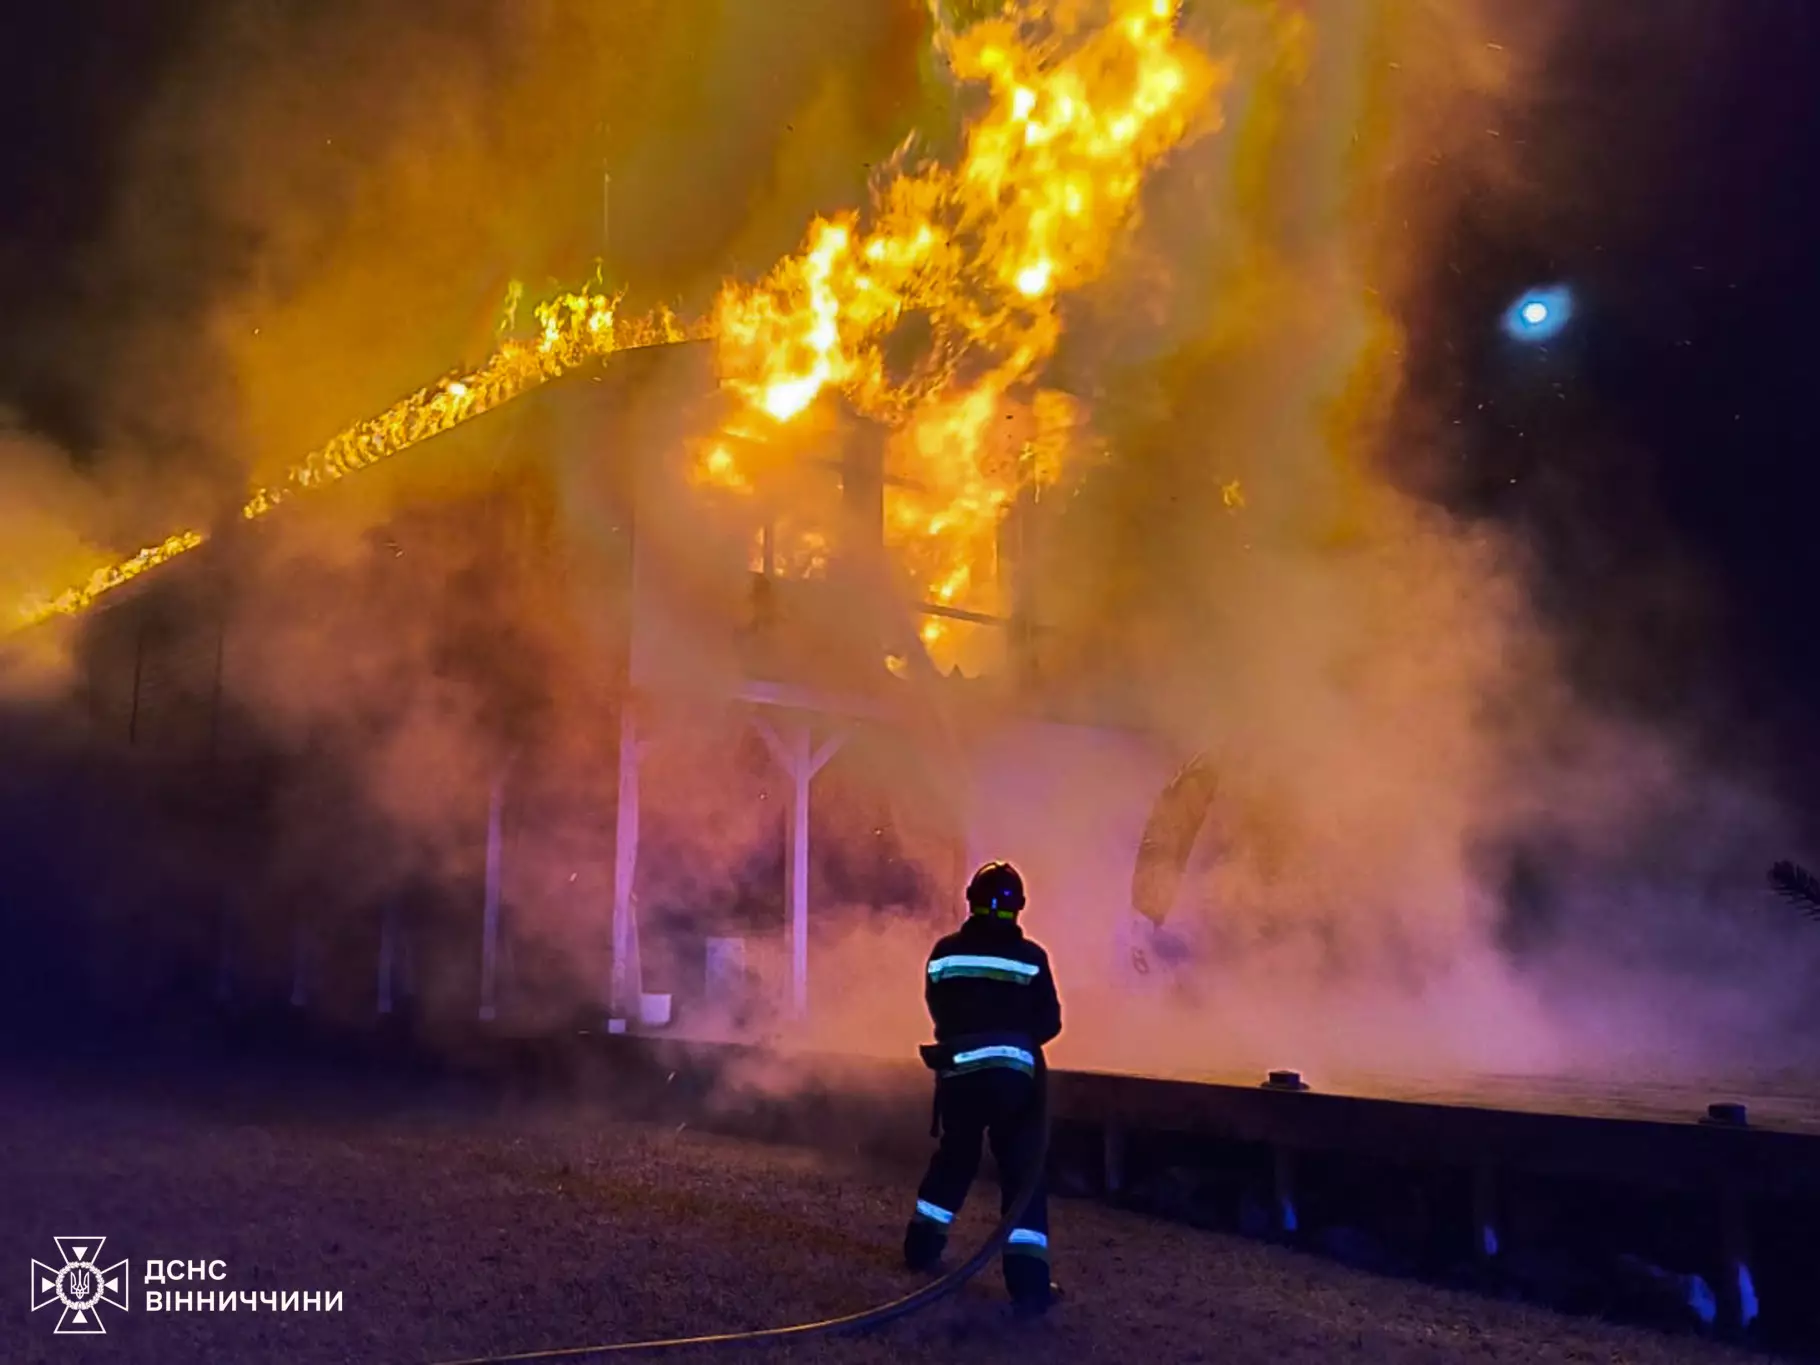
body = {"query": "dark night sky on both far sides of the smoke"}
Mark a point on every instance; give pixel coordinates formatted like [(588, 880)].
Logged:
[(1659, 454)]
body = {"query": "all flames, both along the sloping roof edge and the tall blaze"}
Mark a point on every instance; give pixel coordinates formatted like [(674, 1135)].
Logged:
[(935, 310)]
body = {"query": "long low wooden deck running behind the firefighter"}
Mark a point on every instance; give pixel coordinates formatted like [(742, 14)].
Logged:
[(1650, 1137)]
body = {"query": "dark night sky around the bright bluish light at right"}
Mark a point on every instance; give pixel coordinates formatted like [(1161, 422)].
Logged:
[(1657, 454)]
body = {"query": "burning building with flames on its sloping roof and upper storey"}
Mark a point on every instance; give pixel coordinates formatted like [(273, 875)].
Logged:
[(811, 543)]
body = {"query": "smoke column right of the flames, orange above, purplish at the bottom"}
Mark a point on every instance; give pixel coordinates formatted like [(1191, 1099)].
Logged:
[(1399, 736)]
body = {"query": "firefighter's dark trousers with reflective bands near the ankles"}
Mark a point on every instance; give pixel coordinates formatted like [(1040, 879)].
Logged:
[(998, 1106)]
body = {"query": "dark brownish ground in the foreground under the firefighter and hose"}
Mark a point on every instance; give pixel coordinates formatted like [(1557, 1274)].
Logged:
[(456, 1229)]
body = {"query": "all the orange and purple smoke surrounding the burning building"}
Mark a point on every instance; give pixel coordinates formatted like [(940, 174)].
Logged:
[(330, 205)]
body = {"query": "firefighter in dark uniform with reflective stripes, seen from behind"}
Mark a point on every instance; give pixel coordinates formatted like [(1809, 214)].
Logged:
[(995, 1007)]
